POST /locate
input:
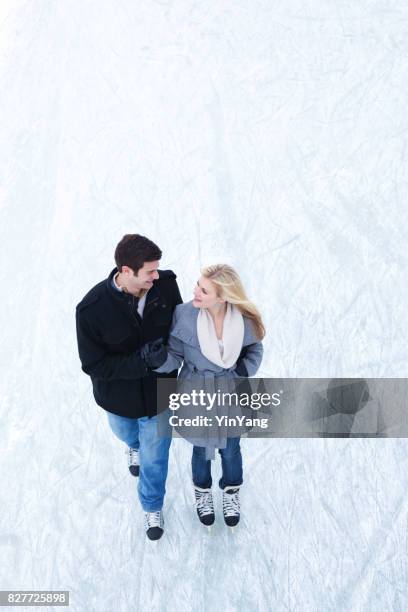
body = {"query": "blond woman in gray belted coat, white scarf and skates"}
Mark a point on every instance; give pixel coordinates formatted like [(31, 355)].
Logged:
[(217, 334)]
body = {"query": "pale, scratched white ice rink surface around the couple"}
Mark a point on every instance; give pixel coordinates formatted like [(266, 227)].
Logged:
[(269, 135)]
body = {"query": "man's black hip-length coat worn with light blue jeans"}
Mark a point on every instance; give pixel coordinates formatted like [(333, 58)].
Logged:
[(110, 332)]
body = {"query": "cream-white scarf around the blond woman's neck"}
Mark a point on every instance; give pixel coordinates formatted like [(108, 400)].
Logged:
[(232, 336)]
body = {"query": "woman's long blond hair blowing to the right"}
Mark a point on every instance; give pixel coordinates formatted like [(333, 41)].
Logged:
[(229, 287)]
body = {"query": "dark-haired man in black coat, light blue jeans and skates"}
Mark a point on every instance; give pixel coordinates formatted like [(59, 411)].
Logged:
[(118, 322)]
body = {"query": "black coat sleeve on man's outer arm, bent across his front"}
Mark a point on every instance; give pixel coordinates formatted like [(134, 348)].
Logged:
[(97, 362)]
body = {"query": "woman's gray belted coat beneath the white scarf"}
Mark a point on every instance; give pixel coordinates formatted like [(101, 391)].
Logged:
[(198, 373)]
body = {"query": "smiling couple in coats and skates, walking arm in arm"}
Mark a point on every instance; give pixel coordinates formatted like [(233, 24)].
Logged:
[(120, 323)]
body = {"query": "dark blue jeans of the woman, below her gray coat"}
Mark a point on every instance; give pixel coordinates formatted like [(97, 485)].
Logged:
[(231, 462)]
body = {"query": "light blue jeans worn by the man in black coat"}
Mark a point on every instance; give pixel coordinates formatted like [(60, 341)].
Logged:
[(153, 452)]
